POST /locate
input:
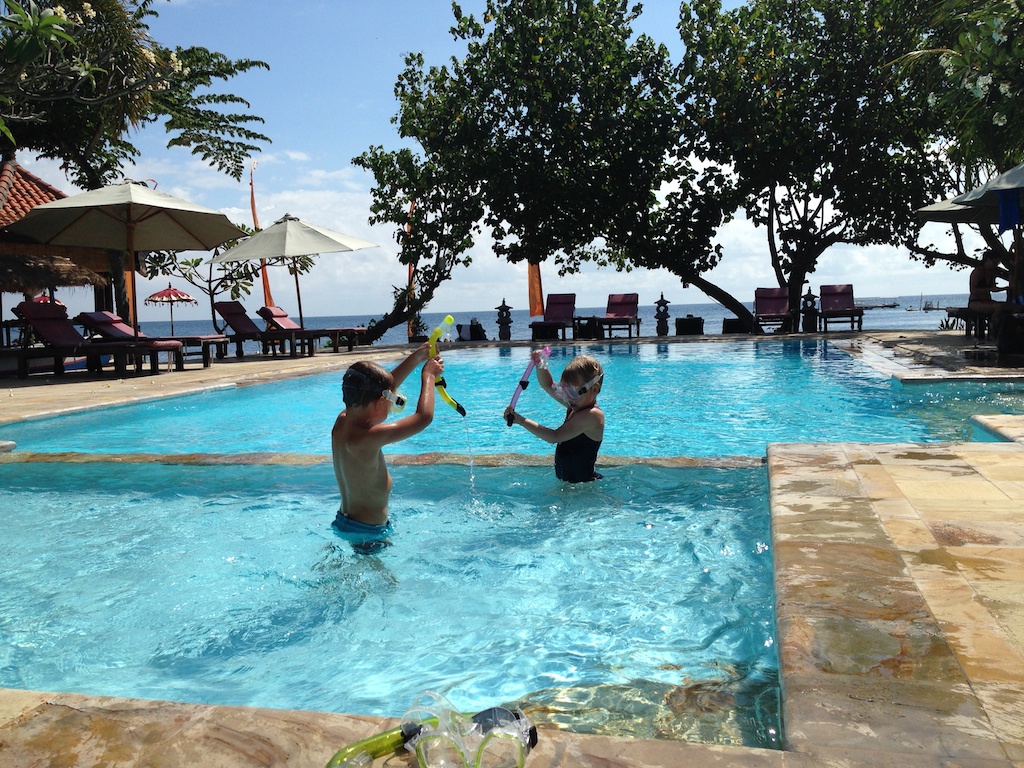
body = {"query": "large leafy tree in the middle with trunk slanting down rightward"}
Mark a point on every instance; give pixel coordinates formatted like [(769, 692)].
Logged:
[(562, 130)]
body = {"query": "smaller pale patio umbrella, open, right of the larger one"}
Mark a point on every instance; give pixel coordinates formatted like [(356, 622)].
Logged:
[(291, 238)]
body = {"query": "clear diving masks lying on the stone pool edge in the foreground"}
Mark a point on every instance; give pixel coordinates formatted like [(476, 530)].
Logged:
[(443, 738)]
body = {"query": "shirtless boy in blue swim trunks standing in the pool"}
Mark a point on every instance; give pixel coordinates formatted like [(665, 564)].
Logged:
[(370, 394)]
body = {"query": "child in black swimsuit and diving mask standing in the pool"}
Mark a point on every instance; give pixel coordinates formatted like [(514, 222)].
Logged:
[(579, 438)]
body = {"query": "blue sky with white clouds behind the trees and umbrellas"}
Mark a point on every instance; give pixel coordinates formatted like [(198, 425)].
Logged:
[(329, 97)]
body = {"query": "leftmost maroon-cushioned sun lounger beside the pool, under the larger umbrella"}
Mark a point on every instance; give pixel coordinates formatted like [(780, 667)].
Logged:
[(61, 340)]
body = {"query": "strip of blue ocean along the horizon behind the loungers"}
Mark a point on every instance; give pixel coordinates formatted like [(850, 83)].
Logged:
[(910, 313)]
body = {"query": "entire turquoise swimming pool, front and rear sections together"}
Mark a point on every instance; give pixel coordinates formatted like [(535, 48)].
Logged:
[(641, 607)]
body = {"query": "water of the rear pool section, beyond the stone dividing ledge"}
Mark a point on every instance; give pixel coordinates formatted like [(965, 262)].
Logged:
[(696, 400)]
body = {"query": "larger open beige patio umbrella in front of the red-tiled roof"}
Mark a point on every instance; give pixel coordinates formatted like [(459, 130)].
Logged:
[(132, 218)]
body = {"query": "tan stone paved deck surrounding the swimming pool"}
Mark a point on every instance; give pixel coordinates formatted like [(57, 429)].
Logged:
[(900, 574)]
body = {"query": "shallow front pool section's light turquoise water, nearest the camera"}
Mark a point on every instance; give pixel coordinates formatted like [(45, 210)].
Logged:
[(606, 608)]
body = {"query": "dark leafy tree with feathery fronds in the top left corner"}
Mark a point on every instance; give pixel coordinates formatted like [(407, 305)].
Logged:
[(80, 76)]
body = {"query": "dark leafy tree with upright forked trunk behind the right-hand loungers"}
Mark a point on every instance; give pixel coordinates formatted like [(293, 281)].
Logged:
[(798, 101)]
